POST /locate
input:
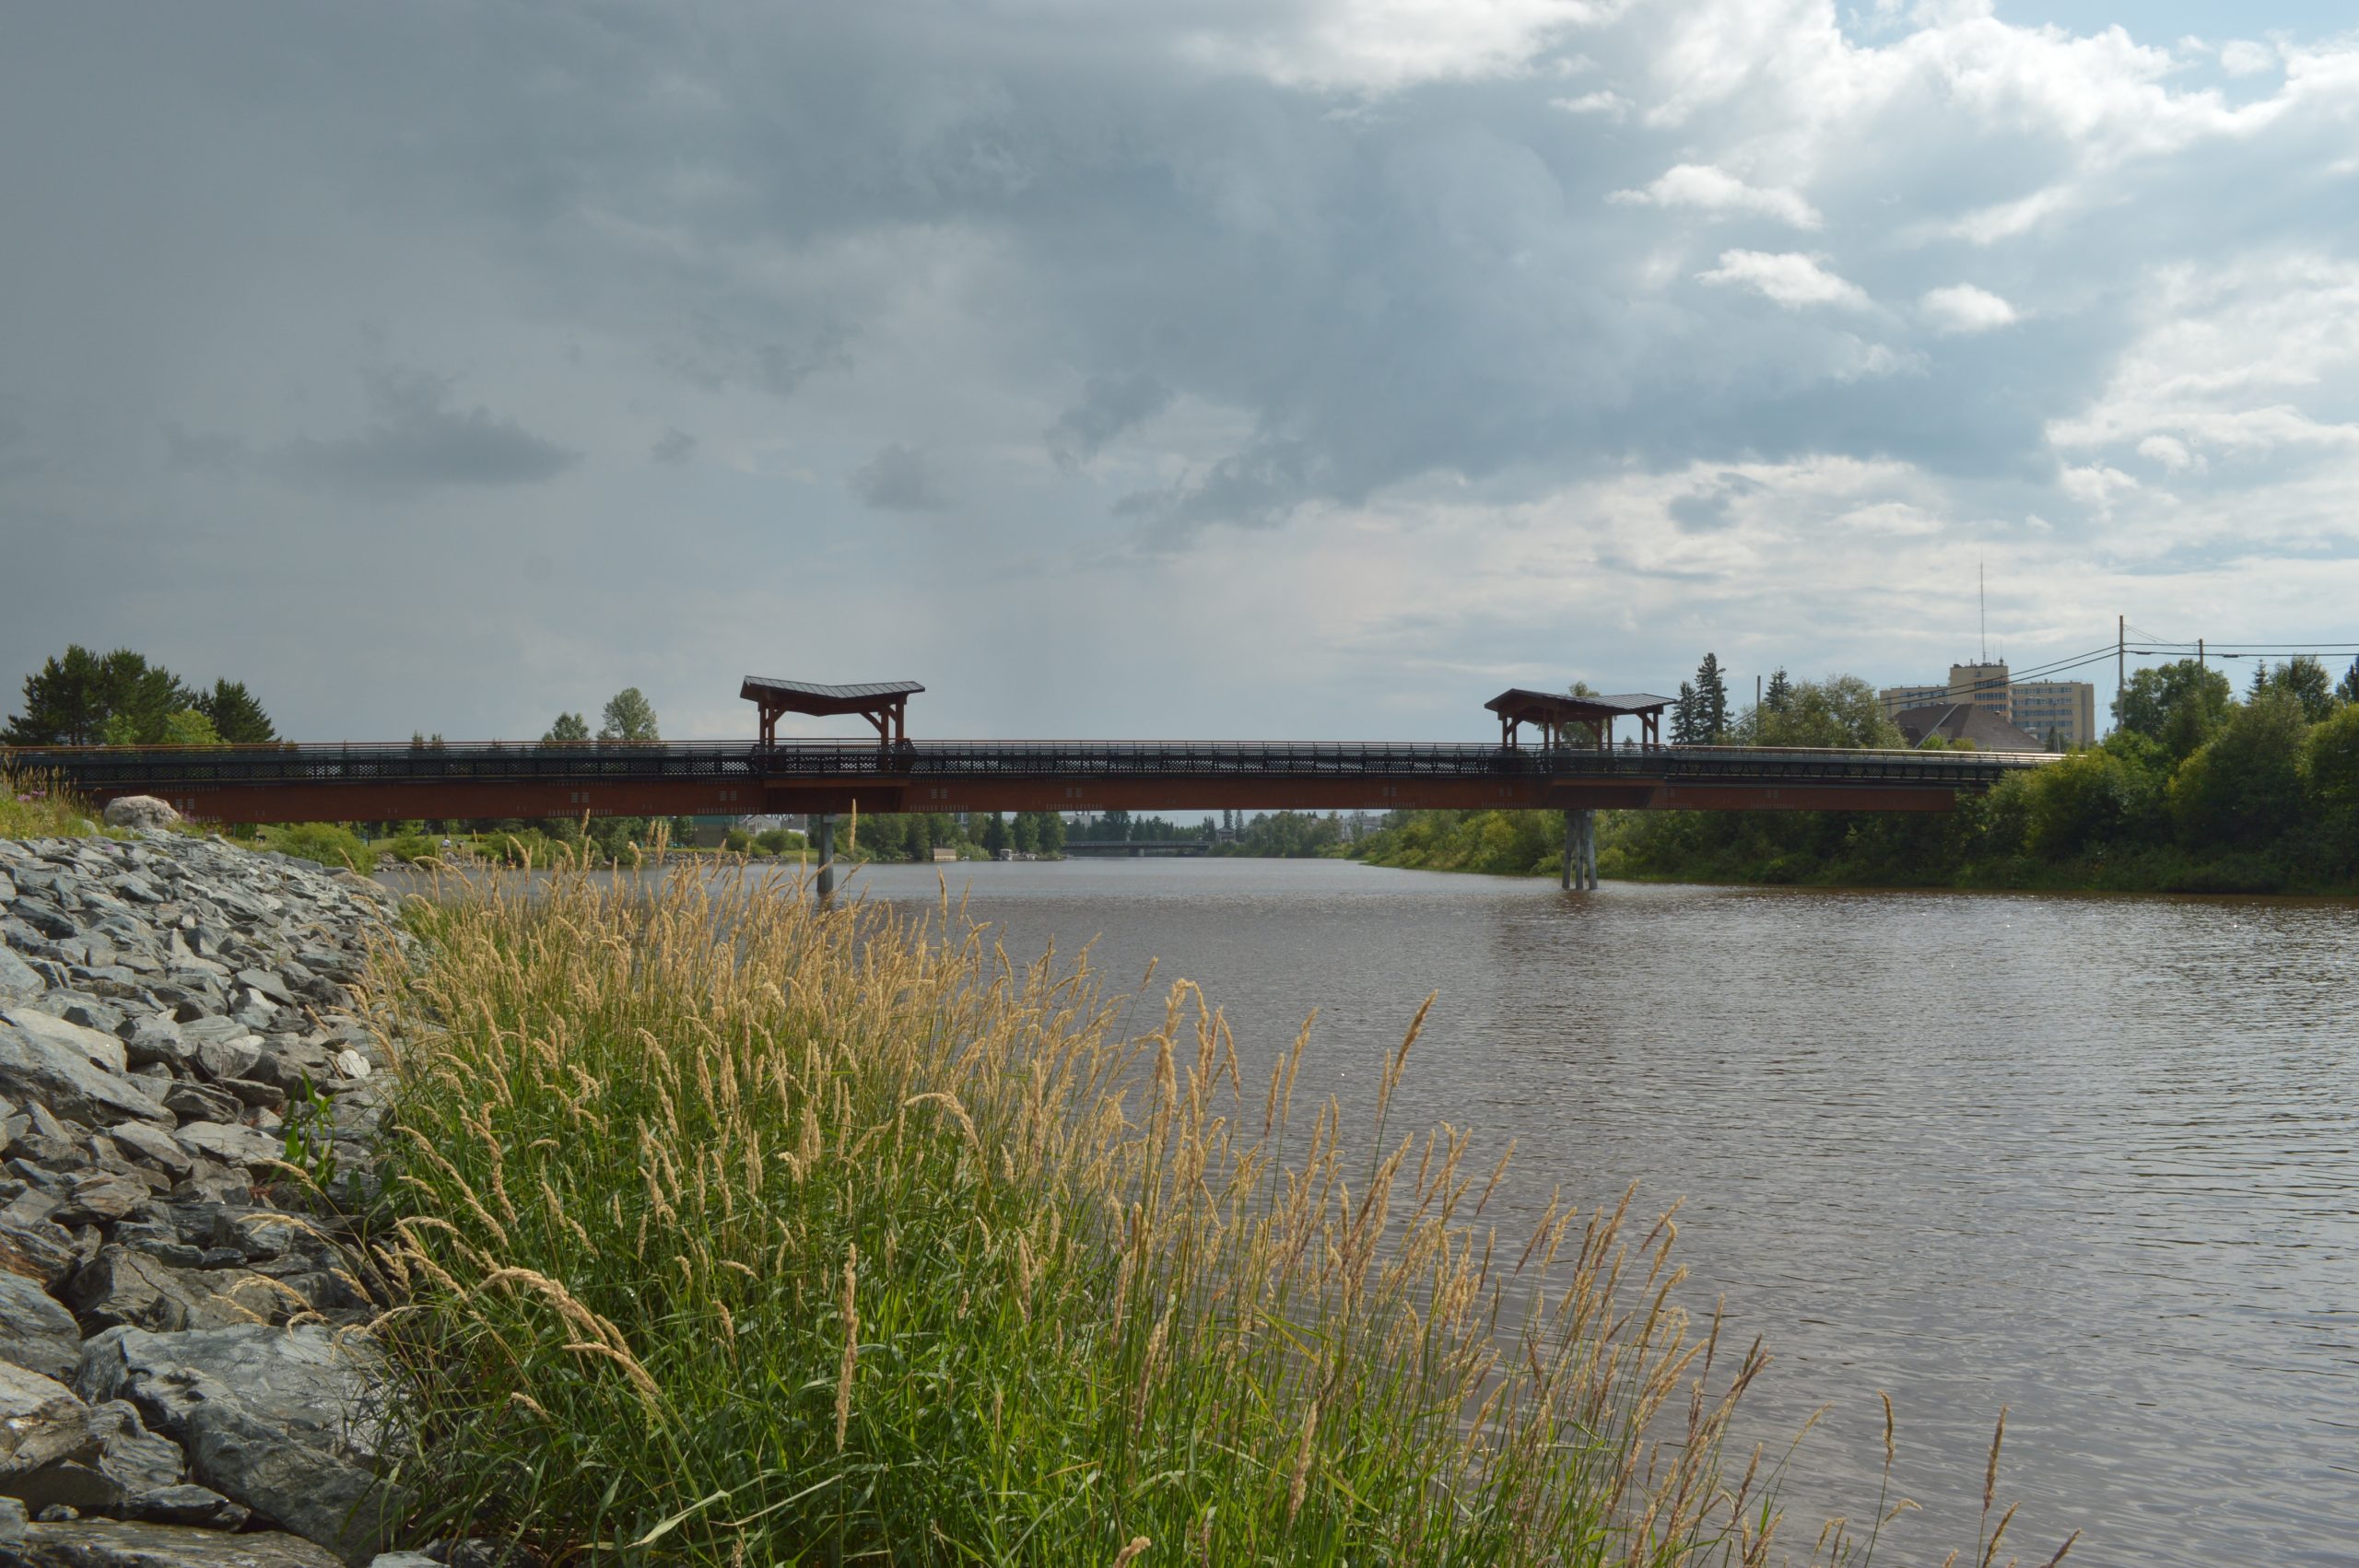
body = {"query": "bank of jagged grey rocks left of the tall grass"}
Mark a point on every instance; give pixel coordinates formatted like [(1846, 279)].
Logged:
[(185, 1366)]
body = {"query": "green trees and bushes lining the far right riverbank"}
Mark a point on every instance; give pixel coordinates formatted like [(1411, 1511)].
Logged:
[(2195, 791)]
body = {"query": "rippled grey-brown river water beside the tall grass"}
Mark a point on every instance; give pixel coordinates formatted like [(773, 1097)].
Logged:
[(2087, 1159)]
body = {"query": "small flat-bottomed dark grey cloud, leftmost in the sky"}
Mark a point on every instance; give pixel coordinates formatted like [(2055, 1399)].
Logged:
[(423, 440)]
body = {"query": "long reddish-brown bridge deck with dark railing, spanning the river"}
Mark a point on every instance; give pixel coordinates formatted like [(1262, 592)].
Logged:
[(350, 782)]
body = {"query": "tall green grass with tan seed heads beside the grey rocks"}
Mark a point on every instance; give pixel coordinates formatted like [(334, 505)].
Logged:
[(740, 1232)]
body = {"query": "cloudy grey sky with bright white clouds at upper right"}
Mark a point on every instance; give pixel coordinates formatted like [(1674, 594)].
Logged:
[(1188, 369)]
